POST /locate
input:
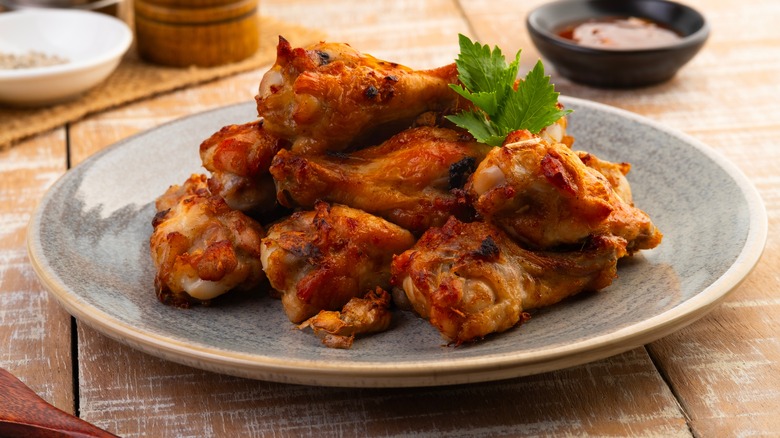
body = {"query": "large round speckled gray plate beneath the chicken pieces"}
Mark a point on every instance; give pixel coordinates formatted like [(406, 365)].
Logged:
[(88, 242)]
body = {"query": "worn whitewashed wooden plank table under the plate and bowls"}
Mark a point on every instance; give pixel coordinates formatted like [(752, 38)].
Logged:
[(718, 377)]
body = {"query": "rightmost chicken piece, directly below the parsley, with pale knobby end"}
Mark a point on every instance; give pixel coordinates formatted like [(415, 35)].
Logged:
[(544, 196)]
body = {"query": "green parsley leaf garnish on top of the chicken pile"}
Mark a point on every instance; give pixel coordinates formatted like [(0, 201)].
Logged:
[(488, 82)]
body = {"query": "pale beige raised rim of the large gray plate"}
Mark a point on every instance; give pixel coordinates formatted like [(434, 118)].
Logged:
[(424, 372)]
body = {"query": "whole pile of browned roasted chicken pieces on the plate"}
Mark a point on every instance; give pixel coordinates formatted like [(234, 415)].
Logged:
[(352, 195)]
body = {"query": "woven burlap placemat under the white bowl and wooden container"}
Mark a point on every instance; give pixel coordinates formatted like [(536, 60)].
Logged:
[(135, 79)]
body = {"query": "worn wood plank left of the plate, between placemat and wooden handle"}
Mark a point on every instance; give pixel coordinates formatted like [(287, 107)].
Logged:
[(34, 330)]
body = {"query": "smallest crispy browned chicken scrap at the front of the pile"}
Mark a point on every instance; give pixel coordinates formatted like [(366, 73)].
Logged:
[(361, 315)]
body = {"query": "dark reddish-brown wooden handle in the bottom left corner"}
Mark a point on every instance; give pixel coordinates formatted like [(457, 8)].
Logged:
[(23, 413)]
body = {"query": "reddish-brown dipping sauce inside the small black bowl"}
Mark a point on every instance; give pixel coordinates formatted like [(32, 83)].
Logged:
[(620, 34)]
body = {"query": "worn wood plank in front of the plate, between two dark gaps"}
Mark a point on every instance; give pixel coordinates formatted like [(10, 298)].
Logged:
[(621, 396)]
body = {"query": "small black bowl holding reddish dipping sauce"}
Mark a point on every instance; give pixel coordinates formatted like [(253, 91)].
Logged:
[(616, 68)]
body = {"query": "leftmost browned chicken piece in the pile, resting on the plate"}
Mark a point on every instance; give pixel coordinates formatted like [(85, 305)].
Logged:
[(202, 248)]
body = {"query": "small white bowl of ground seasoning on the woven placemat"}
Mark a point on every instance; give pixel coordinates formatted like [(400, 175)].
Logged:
[(91, 42)]
